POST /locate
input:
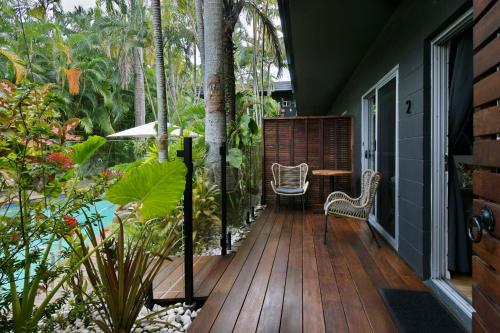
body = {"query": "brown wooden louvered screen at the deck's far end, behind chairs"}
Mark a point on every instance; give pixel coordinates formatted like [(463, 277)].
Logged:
[(321, 142)]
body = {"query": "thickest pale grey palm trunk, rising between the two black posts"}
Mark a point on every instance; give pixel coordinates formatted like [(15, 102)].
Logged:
[(215, 122)]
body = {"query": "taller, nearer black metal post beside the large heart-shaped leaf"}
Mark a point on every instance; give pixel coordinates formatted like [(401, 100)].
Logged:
[(187, 154)]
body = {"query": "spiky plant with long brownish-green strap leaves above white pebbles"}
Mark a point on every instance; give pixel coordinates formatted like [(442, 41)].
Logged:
[(121, 273)]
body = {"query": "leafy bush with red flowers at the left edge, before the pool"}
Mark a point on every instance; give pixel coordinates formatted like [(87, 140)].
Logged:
[(35, 170)]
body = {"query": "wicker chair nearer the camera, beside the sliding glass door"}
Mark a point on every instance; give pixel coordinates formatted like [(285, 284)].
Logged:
[(340, 204)]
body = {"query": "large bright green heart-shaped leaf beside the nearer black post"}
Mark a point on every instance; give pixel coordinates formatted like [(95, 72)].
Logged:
[(156, 187)]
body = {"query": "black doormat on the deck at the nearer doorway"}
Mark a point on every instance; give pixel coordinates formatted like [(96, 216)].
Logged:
[(419, 311)]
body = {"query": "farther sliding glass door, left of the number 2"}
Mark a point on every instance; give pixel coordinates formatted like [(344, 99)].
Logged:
[(380, 132)]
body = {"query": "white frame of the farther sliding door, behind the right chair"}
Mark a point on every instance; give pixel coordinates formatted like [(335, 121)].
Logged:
[(392, 74)]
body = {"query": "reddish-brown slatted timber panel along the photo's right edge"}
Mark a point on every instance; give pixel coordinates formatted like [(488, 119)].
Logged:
[(486, 180)]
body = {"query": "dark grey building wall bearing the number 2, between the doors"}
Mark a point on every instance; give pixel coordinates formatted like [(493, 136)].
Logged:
[(402, 42)]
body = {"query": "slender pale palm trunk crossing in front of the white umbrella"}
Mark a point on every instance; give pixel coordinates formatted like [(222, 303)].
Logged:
[(161, 86)]
